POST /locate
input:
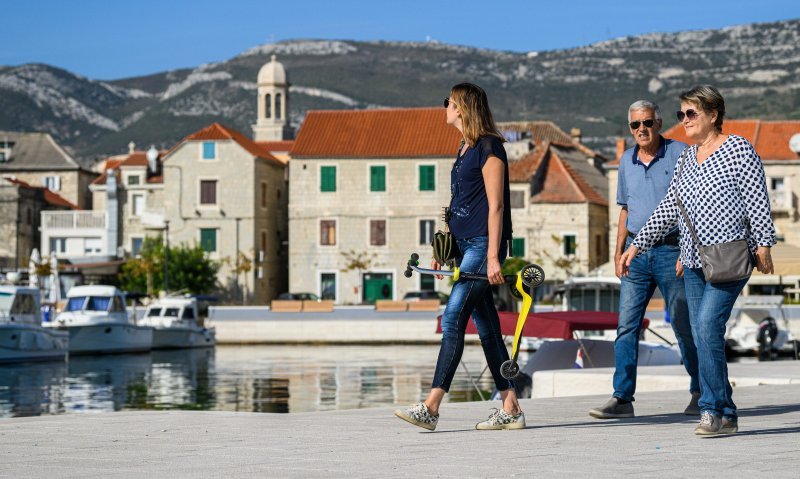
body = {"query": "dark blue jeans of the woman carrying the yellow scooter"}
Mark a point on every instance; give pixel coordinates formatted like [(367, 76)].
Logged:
[(471, 297)]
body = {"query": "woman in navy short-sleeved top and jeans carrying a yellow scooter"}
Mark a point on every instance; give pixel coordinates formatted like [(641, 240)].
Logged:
[(481, 222)]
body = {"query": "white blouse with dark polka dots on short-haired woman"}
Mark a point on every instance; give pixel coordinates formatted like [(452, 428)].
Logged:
[(725, 198)]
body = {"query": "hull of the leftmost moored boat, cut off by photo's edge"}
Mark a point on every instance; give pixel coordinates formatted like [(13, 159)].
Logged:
[(28, 342)]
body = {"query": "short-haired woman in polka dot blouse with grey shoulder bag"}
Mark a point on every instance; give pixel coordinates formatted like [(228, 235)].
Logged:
[(723, 188)]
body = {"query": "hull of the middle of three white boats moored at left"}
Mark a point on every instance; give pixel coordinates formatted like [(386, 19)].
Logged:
[(109, 338)]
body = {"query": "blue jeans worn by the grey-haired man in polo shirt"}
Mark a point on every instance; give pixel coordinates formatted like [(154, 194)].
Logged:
[(654, 268)]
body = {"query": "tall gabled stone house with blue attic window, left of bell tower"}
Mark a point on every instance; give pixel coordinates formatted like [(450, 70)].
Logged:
[(228, 194)]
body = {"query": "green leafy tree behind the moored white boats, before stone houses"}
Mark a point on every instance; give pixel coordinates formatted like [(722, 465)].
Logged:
[(190, 269)]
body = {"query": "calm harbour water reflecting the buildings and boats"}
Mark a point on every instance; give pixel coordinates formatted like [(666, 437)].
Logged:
[(234, 378)]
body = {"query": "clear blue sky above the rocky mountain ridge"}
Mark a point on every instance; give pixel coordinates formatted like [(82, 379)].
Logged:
[(114, 39)]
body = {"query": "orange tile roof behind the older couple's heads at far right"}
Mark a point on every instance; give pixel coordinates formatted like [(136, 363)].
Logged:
[(770, 138)]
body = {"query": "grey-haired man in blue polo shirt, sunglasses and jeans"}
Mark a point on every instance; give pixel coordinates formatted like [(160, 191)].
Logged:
[(645, 172)]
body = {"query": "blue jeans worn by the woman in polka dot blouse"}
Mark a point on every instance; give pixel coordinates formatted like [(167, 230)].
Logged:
[(710, 306)]
